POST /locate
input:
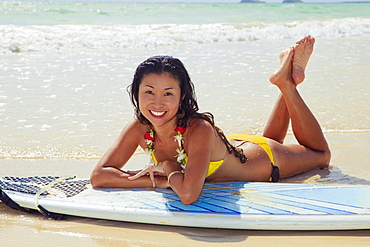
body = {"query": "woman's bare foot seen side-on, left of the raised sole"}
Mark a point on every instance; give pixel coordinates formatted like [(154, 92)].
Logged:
[(283, 75)]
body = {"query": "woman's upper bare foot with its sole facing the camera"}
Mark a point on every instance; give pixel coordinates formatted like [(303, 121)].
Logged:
[(302, 52)]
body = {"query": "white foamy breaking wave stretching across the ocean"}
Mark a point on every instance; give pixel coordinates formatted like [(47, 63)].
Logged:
[(15, 38)]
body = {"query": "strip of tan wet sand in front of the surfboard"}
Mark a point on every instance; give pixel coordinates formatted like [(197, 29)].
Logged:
[(36, 231)]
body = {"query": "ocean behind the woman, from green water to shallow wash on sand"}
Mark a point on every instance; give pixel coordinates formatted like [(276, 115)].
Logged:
[(65, 66)]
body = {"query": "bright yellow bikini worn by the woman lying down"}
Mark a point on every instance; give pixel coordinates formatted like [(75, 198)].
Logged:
[(259, 140)]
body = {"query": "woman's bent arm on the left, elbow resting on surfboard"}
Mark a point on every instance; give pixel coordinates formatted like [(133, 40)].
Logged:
[(108, 173)]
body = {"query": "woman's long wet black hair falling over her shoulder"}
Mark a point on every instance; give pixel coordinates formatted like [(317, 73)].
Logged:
[(188, 108)]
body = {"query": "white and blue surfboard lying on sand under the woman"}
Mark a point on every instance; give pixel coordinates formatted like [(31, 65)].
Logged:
[(231, 205)]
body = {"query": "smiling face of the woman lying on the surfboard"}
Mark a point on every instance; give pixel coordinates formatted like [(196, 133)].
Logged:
[(159, 98)]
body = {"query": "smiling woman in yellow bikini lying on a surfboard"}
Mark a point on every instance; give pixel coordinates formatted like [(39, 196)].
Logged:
[(188, 149)]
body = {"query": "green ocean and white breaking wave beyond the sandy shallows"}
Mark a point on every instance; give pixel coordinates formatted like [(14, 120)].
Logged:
[(64, 26)]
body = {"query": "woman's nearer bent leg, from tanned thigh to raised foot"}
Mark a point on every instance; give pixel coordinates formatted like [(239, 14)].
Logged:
[(313, 150)]
